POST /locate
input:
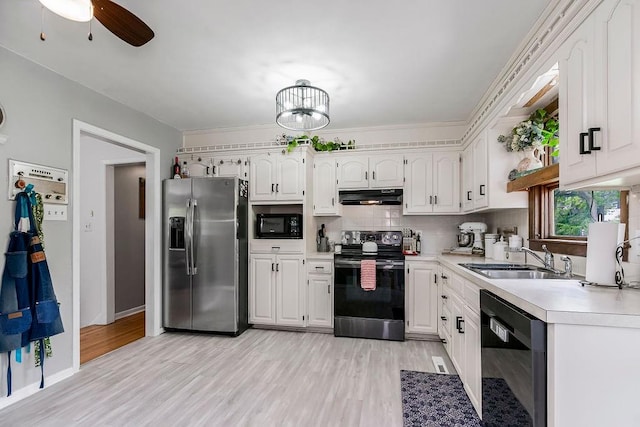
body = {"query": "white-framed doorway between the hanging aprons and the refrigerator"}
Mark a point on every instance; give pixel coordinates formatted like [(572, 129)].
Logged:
[(97, 156)]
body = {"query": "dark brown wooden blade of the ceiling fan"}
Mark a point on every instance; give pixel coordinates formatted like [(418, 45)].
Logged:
[(122, 23)]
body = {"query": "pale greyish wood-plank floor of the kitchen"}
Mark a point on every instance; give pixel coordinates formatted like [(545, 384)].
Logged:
[(261, 378)]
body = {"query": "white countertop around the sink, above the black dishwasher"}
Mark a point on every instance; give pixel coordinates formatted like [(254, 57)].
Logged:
[(558, 301)]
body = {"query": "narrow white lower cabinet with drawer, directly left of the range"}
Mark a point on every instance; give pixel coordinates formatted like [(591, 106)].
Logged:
[(320, 294)]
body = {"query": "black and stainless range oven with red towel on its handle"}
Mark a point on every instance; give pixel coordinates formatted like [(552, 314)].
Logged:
[(367, 313)]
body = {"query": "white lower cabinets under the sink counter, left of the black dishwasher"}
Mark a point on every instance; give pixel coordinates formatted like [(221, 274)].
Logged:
[(459, 329)]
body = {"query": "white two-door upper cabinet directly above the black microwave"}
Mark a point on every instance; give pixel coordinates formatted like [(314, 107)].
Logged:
[(277, 176)]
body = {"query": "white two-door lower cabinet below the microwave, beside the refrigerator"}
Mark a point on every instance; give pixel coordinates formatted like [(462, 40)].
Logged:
[(276, 290)]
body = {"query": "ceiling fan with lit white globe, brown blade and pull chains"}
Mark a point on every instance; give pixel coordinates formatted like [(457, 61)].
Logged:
[(114, 17)]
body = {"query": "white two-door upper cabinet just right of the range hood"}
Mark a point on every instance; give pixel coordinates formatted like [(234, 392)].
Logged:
[(432, 183)]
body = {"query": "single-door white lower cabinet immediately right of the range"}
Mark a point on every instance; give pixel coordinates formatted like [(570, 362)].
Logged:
[(421, 297)]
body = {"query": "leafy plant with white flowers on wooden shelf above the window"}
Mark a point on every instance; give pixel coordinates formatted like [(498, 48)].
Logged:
[(538, 130)]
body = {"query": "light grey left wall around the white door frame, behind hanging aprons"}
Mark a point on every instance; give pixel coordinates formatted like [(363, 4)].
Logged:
[(40, 106)]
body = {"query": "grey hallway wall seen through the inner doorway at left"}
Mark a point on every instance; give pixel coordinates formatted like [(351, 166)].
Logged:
[(128, 239)]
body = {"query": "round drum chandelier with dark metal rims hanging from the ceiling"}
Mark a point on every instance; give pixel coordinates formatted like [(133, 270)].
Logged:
[(302, 107)]
